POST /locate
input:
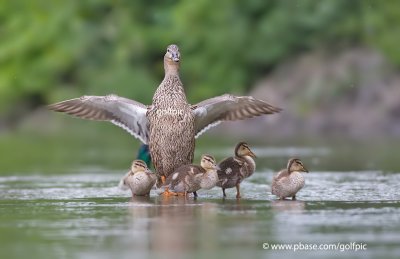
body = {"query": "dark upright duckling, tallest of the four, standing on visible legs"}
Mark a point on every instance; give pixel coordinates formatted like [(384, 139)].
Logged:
[(234, 169)]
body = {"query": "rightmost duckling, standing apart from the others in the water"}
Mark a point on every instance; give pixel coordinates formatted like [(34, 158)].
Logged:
[(290, 180)]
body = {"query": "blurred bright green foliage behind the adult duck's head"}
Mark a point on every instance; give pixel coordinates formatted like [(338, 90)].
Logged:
[(52, 50)]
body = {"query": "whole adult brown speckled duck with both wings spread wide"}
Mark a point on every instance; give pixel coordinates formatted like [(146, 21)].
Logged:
[(170, 124)]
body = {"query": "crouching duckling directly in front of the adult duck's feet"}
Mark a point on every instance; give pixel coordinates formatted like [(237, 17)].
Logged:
[(191, 178)]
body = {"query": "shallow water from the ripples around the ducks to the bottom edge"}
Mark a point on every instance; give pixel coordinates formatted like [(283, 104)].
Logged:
[(84, 215)]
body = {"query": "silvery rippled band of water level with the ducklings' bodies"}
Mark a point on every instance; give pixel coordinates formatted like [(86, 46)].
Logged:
[(320, 186)]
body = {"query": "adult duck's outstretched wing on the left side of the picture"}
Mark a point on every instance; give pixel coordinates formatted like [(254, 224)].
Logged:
[(125, 113)]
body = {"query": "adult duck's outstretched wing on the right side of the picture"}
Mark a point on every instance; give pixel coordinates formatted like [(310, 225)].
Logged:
[(211, 112)]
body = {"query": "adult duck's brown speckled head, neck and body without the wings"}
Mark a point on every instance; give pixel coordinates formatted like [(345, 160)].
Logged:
[(171, 121)]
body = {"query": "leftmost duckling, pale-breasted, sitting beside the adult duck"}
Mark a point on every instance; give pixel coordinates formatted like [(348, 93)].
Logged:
[(139, 179)]
